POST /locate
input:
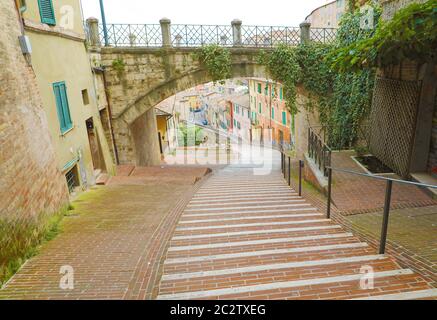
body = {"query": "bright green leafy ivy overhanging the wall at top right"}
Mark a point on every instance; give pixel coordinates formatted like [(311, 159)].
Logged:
[(411, 34)]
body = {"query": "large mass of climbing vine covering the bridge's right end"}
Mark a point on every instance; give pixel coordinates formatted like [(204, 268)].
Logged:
[(342, 98)]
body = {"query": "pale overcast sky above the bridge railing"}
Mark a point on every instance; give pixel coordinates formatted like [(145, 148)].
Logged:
[(251, 12)]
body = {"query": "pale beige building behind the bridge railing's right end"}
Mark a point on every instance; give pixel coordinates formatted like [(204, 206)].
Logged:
[(328, 15)]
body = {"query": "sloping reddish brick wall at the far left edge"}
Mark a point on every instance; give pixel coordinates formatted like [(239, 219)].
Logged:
[(30, 182)]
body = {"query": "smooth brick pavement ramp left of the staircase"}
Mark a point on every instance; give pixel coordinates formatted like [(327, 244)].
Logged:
[(113, 239)]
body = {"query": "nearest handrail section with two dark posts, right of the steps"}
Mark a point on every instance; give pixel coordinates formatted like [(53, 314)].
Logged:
[(387, 202)]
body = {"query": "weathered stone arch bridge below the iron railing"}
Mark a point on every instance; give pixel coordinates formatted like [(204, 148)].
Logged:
[(150, 76)]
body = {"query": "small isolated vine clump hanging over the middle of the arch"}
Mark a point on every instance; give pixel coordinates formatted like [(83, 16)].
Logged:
[(217, 61)]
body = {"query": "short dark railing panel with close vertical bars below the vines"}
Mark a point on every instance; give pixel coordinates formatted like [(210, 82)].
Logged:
[(318, 150)]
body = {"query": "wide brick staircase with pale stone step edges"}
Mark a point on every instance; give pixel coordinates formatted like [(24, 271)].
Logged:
[(252, 237)]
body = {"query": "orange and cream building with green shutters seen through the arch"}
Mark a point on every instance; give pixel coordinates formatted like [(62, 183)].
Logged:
[(268, 111)]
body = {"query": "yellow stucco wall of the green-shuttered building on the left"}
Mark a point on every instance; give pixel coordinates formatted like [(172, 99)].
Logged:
[(54, 59)]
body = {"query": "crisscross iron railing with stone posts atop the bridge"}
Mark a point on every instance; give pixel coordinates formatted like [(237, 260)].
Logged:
[(186, 35)]
